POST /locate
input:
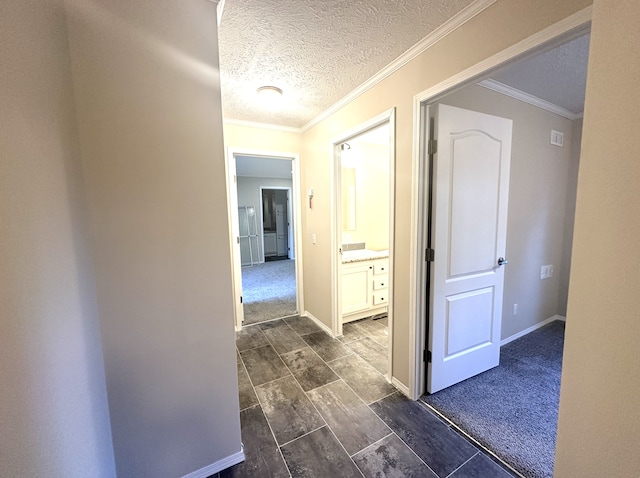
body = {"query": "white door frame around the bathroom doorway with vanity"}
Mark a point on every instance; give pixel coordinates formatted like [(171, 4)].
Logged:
[(336, 222)]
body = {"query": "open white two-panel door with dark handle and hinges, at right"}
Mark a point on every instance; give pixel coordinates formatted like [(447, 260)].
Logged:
[(469, 226)]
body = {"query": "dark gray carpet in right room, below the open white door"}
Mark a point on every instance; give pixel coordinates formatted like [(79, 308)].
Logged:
[(513, 408)]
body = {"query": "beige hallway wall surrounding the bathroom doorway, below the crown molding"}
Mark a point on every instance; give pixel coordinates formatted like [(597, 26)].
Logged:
[(508, 22)]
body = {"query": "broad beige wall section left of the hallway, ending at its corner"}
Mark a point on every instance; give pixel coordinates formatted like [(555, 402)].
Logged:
[(147, 94)]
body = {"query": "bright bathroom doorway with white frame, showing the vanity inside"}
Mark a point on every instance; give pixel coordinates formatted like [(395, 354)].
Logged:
[(362, 245)]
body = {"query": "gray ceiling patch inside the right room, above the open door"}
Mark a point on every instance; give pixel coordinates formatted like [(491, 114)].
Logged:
[(558, 76)]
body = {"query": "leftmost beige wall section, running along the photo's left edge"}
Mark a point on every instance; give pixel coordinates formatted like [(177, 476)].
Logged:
[(54, 419)]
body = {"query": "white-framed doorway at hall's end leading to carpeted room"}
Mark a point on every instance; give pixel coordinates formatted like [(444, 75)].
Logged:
[(263, 190)]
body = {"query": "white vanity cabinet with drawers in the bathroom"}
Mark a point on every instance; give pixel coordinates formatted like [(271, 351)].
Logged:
[(364, 288)]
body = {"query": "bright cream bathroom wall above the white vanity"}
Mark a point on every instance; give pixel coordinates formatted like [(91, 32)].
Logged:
[(371, 162)]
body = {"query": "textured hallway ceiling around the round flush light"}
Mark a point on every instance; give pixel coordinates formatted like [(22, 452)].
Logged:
[(316, 51)]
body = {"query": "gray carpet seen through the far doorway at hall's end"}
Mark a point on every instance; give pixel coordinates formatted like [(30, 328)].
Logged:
[(268, 291)]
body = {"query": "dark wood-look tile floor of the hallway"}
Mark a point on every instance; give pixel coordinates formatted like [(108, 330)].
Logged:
[(314, 406)]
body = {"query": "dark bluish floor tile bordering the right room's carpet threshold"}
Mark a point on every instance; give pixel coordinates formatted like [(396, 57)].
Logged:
[(442, 449)]
